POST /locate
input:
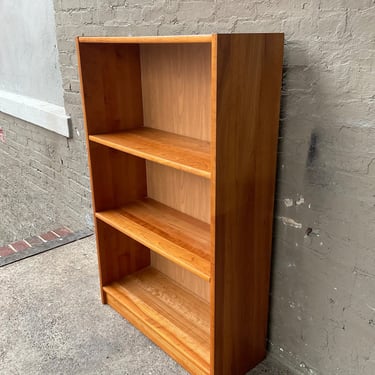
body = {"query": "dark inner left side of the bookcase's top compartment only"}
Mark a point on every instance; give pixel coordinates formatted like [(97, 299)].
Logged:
[(111, 82)]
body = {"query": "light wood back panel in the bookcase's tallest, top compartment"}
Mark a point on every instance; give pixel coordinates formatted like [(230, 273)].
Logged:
[(176, 88)]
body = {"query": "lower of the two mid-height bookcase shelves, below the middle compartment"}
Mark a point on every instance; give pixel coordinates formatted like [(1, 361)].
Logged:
[(170, 233)]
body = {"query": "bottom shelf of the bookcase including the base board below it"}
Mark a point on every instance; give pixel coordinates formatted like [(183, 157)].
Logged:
[(171, 316)]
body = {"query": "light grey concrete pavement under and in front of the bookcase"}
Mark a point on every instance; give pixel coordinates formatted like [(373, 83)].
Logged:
[(53, 322)]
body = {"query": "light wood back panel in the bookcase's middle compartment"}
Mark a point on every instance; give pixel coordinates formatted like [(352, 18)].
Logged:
[(182, 191)]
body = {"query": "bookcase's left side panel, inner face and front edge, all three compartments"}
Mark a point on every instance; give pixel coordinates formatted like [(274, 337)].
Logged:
[(111, 101)]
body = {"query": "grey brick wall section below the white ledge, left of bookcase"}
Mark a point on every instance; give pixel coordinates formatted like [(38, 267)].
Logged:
[(44, 181)]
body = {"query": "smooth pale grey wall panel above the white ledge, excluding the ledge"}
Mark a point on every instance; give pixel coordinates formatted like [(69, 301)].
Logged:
[(28, 53)]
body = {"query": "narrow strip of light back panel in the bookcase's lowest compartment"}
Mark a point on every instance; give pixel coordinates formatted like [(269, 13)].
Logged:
[(182, 276)]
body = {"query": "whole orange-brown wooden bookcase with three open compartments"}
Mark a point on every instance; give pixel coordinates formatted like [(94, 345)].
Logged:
[(182, 138)]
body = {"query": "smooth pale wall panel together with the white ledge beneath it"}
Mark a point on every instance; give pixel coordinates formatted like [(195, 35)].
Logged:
[(30, 79)]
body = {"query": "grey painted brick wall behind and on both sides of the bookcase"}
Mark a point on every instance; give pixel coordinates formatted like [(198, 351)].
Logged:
[(322, 303)]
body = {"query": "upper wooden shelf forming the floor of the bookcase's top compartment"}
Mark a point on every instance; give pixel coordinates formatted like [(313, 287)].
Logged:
[(176, 151)]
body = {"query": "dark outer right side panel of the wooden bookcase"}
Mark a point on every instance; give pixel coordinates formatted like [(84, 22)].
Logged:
[(249, 69)]
